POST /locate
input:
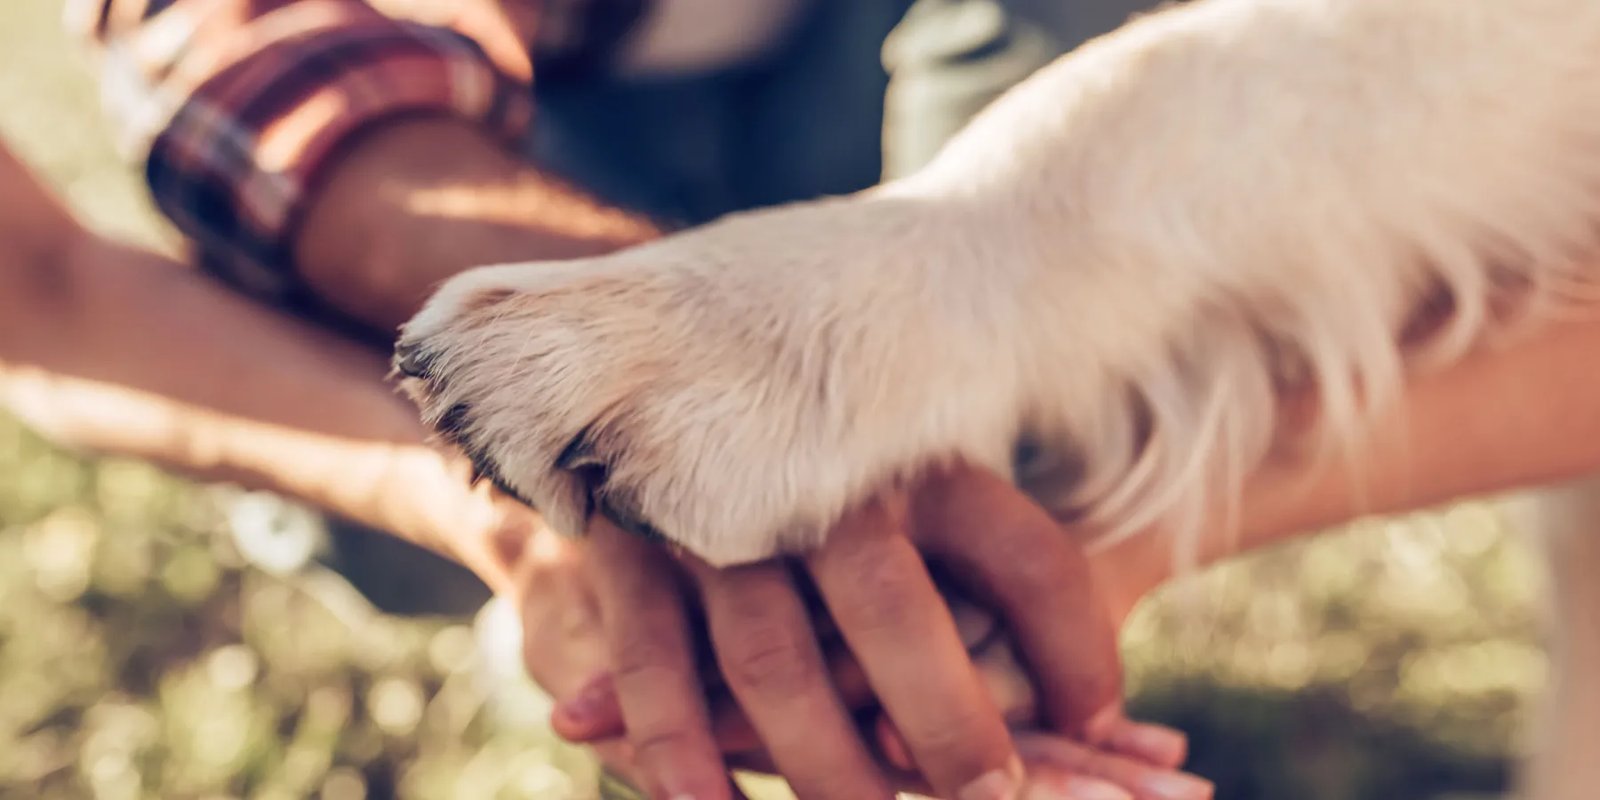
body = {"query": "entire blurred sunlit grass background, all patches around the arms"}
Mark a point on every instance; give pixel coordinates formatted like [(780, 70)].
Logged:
[(140, 657)]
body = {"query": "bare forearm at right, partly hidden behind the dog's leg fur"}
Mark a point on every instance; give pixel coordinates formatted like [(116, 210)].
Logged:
[(1513, 418)]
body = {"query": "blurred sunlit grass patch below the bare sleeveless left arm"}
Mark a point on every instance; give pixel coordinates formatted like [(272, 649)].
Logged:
[(140, 658)]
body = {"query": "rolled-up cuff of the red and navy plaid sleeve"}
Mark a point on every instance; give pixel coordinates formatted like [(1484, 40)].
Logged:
[(238, 162)]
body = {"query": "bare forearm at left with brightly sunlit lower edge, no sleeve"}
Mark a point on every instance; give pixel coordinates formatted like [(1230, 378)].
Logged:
[(135, 356)]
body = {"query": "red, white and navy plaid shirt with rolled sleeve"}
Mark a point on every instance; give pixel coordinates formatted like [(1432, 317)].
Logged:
[(239, 108)]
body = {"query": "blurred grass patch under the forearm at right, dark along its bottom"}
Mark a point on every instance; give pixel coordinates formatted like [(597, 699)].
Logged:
[(1398, 660)]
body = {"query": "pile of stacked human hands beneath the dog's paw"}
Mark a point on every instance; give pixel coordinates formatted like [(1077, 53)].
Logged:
[(804, 698)]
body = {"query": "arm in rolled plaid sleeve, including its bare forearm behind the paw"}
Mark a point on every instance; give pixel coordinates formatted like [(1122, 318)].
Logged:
[(321, 153)]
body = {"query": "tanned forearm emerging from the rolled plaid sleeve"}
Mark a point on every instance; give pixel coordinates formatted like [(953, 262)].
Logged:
[(420, 201)]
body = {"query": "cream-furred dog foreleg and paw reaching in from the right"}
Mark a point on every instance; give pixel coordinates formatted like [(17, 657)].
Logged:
[(1122, 265)]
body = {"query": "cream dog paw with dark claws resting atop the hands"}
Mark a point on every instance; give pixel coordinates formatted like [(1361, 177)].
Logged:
[(734, 390)]
